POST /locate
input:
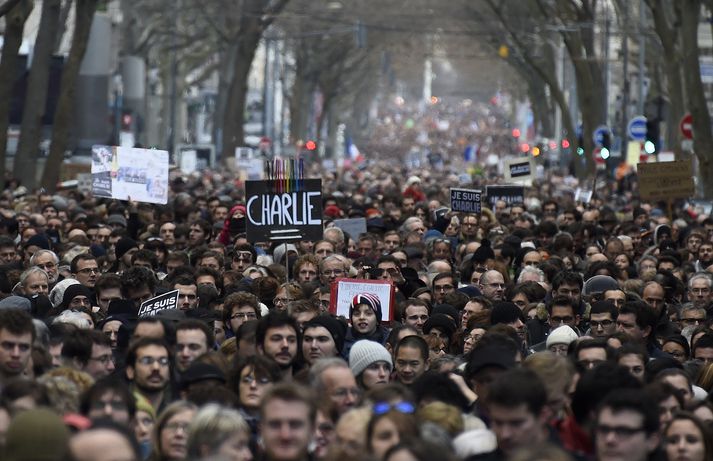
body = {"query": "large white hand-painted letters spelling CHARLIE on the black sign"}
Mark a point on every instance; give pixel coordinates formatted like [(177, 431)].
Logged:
[(283, 209)]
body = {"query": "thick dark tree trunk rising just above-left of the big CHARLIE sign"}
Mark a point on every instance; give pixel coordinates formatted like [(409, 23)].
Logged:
[(233, 130)]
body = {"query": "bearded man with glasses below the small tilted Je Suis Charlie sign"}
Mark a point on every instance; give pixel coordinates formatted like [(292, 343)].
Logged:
[(148, 368)]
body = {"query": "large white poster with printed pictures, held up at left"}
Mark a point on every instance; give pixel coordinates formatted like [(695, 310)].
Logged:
[(123, 172)]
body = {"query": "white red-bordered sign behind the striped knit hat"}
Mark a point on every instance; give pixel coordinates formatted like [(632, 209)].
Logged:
[(344, 290)]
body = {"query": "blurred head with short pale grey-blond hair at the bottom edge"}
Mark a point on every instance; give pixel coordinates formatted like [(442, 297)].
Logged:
[(220, 432)]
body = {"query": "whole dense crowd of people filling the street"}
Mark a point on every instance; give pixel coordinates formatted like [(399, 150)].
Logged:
[(550, 329)]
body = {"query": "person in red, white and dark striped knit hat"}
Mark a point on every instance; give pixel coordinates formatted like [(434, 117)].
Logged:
[(365, 316)]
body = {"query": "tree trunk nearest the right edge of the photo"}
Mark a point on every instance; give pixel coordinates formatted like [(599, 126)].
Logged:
[(702, 134)]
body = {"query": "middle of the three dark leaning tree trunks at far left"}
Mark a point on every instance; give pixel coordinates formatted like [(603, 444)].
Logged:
[(36, 96)]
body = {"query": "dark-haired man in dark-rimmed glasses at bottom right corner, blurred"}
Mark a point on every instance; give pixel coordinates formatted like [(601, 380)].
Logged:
[(627, 426)]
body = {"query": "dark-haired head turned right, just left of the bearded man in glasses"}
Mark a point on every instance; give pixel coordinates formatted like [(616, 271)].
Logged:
[(89, 351)]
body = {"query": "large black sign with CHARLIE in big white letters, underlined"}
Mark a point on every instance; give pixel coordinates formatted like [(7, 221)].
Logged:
[(284, 210)]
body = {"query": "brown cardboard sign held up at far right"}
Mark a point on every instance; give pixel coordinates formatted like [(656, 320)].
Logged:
[(666, 180)]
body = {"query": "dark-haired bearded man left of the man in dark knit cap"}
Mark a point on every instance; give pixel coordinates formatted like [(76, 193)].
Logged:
[(277, 337)]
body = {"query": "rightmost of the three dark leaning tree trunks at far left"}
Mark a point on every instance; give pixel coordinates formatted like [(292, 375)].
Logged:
[(64, 115)]
